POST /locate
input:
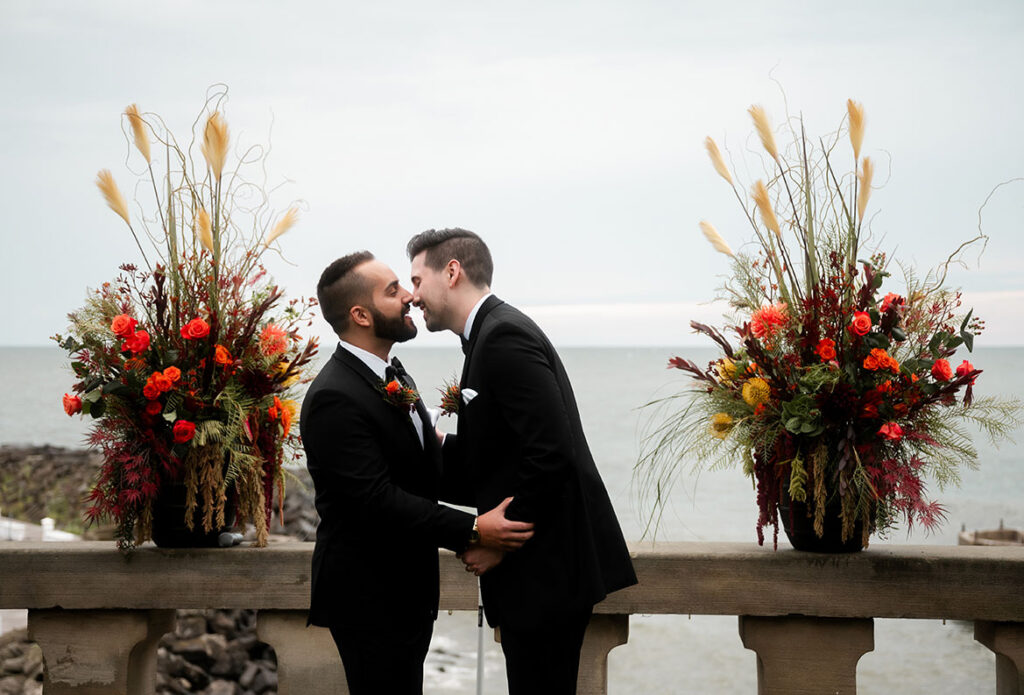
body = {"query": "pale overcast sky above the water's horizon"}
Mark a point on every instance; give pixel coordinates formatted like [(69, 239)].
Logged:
[(569, 136)]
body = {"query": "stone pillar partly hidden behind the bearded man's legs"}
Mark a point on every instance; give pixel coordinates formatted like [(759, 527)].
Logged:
[(308, 659)]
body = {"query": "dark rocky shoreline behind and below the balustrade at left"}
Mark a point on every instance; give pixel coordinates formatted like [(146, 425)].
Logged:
[(215, 653)]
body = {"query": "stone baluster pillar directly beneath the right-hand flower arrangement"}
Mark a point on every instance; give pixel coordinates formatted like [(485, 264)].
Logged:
[(799, 656)]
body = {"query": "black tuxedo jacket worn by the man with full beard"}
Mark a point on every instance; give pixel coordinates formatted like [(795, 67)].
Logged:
[(377, 492)]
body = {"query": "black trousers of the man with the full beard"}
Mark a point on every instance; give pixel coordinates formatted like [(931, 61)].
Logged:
[(383, 656)]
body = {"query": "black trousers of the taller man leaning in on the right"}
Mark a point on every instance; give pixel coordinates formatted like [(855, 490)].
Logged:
[(545, 661)]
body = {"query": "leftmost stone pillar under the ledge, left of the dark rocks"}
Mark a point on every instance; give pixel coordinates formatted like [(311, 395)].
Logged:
[(94, 653)]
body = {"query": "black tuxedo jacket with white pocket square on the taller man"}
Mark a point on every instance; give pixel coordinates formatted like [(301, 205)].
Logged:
[(522, 437)]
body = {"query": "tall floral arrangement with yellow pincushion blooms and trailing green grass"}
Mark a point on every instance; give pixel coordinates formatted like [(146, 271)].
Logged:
[(840, 394)]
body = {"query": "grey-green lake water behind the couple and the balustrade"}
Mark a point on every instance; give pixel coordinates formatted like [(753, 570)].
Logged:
[(665, 655)]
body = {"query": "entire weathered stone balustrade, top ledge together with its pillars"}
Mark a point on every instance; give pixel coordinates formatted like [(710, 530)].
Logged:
[(98, 616)]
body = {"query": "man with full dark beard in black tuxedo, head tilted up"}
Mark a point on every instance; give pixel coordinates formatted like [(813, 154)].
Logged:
[(375, 462)]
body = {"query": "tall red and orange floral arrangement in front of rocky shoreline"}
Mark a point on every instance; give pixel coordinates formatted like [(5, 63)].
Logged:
[(189, 364)]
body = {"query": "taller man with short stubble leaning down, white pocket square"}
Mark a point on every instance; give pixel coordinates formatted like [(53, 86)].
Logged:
[(520, 436)]
